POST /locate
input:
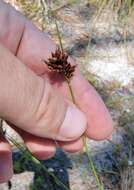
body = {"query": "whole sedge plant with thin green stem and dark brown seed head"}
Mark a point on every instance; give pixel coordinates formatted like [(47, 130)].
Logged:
[(58, 62)]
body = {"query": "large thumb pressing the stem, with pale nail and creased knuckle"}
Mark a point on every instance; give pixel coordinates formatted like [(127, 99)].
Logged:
[(32, 104)]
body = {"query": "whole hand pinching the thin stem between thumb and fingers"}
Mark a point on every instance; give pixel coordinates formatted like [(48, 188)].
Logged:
[(36, 101)]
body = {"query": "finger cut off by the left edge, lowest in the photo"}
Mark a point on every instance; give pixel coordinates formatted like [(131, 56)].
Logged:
[(6, 170)]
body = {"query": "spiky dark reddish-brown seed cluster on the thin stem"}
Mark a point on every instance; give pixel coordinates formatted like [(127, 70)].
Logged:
[(58, 62)]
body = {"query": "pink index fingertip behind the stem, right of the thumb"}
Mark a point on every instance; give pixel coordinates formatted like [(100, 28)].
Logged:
[(100, 124)]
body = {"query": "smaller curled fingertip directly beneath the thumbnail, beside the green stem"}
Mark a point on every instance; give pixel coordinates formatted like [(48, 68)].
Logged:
[(73, 146)]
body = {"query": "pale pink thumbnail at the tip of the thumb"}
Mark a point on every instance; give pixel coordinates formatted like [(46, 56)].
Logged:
[(74, 124)]
